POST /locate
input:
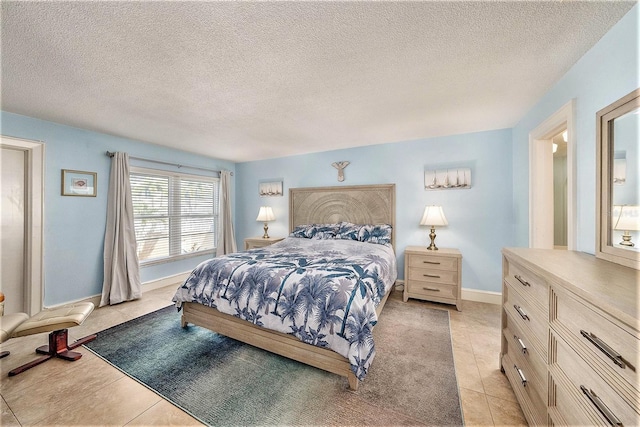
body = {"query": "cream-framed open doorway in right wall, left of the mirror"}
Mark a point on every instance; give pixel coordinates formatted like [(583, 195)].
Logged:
[(552, 205)]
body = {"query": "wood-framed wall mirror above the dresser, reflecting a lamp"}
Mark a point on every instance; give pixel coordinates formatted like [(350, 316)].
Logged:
[(618, 192)]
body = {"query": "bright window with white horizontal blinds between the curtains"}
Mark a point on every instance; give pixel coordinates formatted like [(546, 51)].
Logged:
[(175, 215)]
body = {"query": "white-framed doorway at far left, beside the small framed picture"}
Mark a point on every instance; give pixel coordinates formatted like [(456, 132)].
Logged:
[(21, 222)]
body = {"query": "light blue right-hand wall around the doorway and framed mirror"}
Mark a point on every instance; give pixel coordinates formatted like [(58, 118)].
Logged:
[(604, 74)]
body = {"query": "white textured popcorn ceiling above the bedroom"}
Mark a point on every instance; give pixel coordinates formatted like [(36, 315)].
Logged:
[(254, 80)]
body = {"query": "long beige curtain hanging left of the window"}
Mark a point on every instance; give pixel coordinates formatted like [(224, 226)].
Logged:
[(121, 269)]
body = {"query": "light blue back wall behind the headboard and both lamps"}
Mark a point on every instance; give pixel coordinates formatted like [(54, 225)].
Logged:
[(480, 218)]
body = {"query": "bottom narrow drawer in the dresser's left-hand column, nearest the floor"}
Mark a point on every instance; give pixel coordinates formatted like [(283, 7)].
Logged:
[(529, 396)]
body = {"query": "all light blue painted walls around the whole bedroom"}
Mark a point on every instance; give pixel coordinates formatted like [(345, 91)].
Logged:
[(491, 215)]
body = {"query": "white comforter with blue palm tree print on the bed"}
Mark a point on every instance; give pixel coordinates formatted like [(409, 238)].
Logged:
[(324, 292)]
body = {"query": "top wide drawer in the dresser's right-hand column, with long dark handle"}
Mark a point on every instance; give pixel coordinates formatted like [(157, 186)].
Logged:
[(612, 346)]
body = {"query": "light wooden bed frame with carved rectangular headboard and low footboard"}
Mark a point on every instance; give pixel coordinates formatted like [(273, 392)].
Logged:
[(363, 204)]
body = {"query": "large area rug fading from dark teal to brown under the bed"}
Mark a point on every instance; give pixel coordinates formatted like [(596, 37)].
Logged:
[(221, 381)]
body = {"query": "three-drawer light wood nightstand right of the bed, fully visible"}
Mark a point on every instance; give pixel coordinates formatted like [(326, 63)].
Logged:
[(433, 275)]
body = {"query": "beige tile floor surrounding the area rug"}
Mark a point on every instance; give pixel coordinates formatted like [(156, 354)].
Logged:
[(91, 392)]
